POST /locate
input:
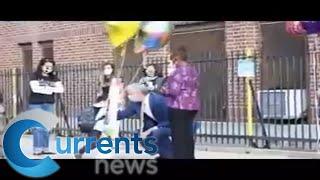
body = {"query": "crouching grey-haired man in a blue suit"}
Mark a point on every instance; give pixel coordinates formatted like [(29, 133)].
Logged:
[(153, 111)]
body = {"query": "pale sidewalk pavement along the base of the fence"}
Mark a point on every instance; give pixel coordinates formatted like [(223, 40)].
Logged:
[(202, 152)]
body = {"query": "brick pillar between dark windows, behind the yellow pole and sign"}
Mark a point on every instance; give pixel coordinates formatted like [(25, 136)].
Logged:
[(240, 35)]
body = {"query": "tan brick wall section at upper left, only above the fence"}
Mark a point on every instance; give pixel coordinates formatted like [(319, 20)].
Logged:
[(73, 41)]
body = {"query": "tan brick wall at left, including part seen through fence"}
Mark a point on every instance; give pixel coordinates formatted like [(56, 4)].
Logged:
[(78, 43)]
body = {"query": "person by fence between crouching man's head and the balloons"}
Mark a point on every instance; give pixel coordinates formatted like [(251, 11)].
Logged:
[(152, 79)]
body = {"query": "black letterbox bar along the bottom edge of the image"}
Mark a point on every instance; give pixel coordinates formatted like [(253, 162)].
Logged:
[(214, 169)]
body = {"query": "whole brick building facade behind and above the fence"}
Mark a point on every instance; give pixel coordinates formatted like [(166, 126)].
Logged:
[(86, 41)]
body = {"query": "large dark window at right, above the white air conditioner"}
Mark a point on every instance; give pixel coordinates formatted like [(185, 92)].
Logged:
[(283, 65)]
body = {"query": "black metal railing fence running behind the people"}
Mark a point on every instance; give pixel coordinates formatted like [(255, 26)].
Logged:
[(284, 89)]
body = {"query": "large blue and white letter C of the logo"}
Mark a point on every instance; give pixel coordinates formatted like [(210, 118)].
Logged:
[(11, 144)]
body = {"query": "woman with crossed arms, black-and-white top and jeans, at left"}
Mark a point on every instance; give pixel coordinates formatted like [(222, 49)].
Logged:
[(44, 85)]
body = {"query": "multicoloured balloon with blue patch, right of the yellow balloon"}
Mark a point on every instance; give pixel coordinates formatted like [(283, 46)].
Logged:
[(153, 35)]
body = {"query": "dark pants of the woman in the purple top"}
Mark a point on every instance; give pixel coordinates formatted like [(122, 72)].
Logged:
[(182, 133)]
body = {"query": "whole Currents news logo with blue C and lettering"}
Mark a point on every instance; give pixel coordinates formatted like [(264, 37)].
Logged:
[(38, 168)]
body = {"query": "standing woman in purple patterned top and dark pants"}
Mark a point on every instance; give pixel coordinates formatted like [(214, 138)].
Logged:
[(182, 92)]
